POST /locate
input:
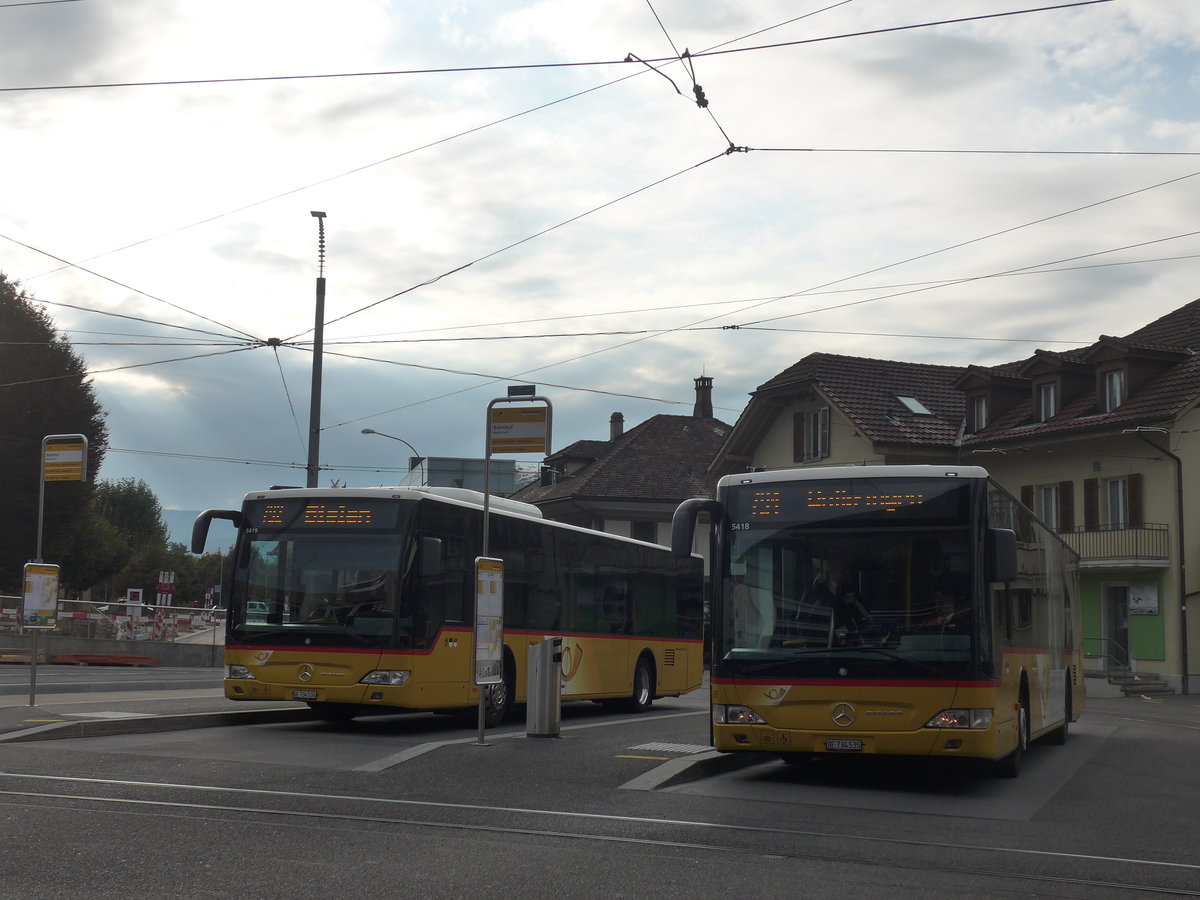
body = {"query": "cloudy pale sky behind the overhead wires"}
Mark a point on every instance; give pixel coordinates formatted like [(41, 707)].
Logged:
[(529, 193)]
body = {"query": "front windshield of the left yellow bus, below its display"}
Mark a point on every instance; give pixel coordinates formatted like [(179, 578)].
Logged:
[(337, 589)]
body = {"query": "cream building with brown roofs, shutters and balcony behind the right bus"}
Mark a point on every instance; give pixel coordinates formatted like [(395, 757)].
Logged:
[(1103, 443)]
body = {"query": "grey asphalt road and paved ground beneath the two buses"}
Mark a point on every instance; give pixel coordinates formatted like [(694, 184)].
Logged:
[(619, 806)]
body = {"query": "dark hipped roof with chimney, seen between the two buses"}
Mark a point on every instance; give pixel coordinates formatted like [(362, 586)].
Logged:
[(663, 459)]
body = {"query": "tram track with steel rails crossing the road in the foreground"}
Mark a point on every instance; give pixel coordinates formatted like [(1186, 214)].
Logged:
[(1124, 877)]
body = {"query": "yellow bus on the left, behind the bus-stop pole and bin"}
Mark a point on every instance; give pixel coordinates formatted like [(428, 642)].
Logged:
[(353, 601)]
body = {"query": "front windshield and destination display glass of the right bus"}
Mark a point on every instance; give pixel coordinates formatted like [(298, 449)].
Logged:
[(851, 591)]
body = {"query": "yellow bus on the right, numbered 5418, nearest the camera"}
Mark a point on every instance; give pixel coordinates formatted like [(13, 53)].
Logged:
[(905, 610)]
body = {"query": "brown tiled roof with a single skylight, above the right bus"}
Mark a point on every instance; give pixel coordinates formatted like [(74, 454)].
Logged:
[(867, 392)]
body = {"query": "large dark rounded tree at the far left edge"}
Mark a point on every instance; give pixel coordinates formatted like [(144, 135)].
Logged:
[(43, 392)]
